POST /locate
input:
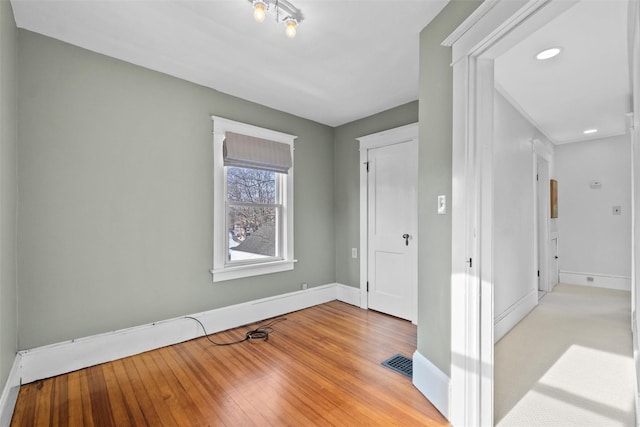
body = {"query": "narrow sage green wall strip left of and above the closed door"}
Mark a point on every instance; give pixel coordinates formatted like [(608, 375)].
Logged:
[(347, 184)]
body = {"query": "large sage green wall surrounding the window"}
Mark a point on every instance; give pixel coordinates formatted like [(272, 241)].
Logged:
[(115, 195)]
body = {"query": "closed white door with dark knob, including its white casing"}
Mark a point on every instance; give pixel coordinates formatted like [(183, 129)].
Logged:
[(388, 221)]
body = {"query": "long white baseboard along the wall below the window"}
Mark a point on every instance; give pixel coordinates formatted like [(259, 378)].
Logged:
[(56, 359)]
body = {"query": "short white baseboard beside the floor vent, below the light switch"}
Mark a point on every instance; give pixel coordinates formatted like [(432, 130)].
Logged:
[(432, 382)]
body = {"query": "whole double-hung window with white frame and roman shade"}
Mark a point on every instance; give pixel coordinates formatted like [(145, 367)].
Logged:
[(253, 200)]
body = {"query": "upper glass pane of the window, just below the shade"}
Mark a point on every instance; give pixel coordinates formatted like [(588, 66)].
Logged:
[(251, 185)]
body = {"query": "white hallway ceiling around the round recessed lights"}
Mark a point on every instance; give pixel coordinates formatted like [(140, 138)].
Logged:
[(586, 86)]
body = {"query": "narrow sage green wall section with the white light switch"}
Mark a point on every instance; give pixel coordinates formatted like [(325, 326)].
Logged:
[(435, 168)]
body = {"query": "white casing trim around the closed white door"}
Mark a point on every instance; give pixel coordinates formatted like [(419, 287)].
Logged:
[(381, 139)]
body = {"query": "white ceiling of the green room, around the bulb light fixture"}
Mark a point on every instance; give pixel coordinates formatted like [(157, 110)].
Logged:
[(350, 59)]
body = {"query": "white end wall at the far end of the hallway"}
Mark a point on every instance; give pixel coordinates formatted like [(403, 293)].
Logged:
[(593, 241)]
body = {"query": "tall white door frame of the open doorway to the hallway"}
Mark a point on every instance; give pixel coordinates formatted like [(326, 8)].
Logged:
[(491, 30)]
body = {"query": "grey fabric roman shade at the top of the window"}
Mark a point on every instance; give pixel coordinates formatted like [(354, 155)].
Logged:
[(250, 152)]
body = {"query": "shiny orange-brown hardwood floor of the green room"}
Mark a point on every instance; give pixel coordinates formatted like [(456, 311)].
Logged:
[(321, 366)]
